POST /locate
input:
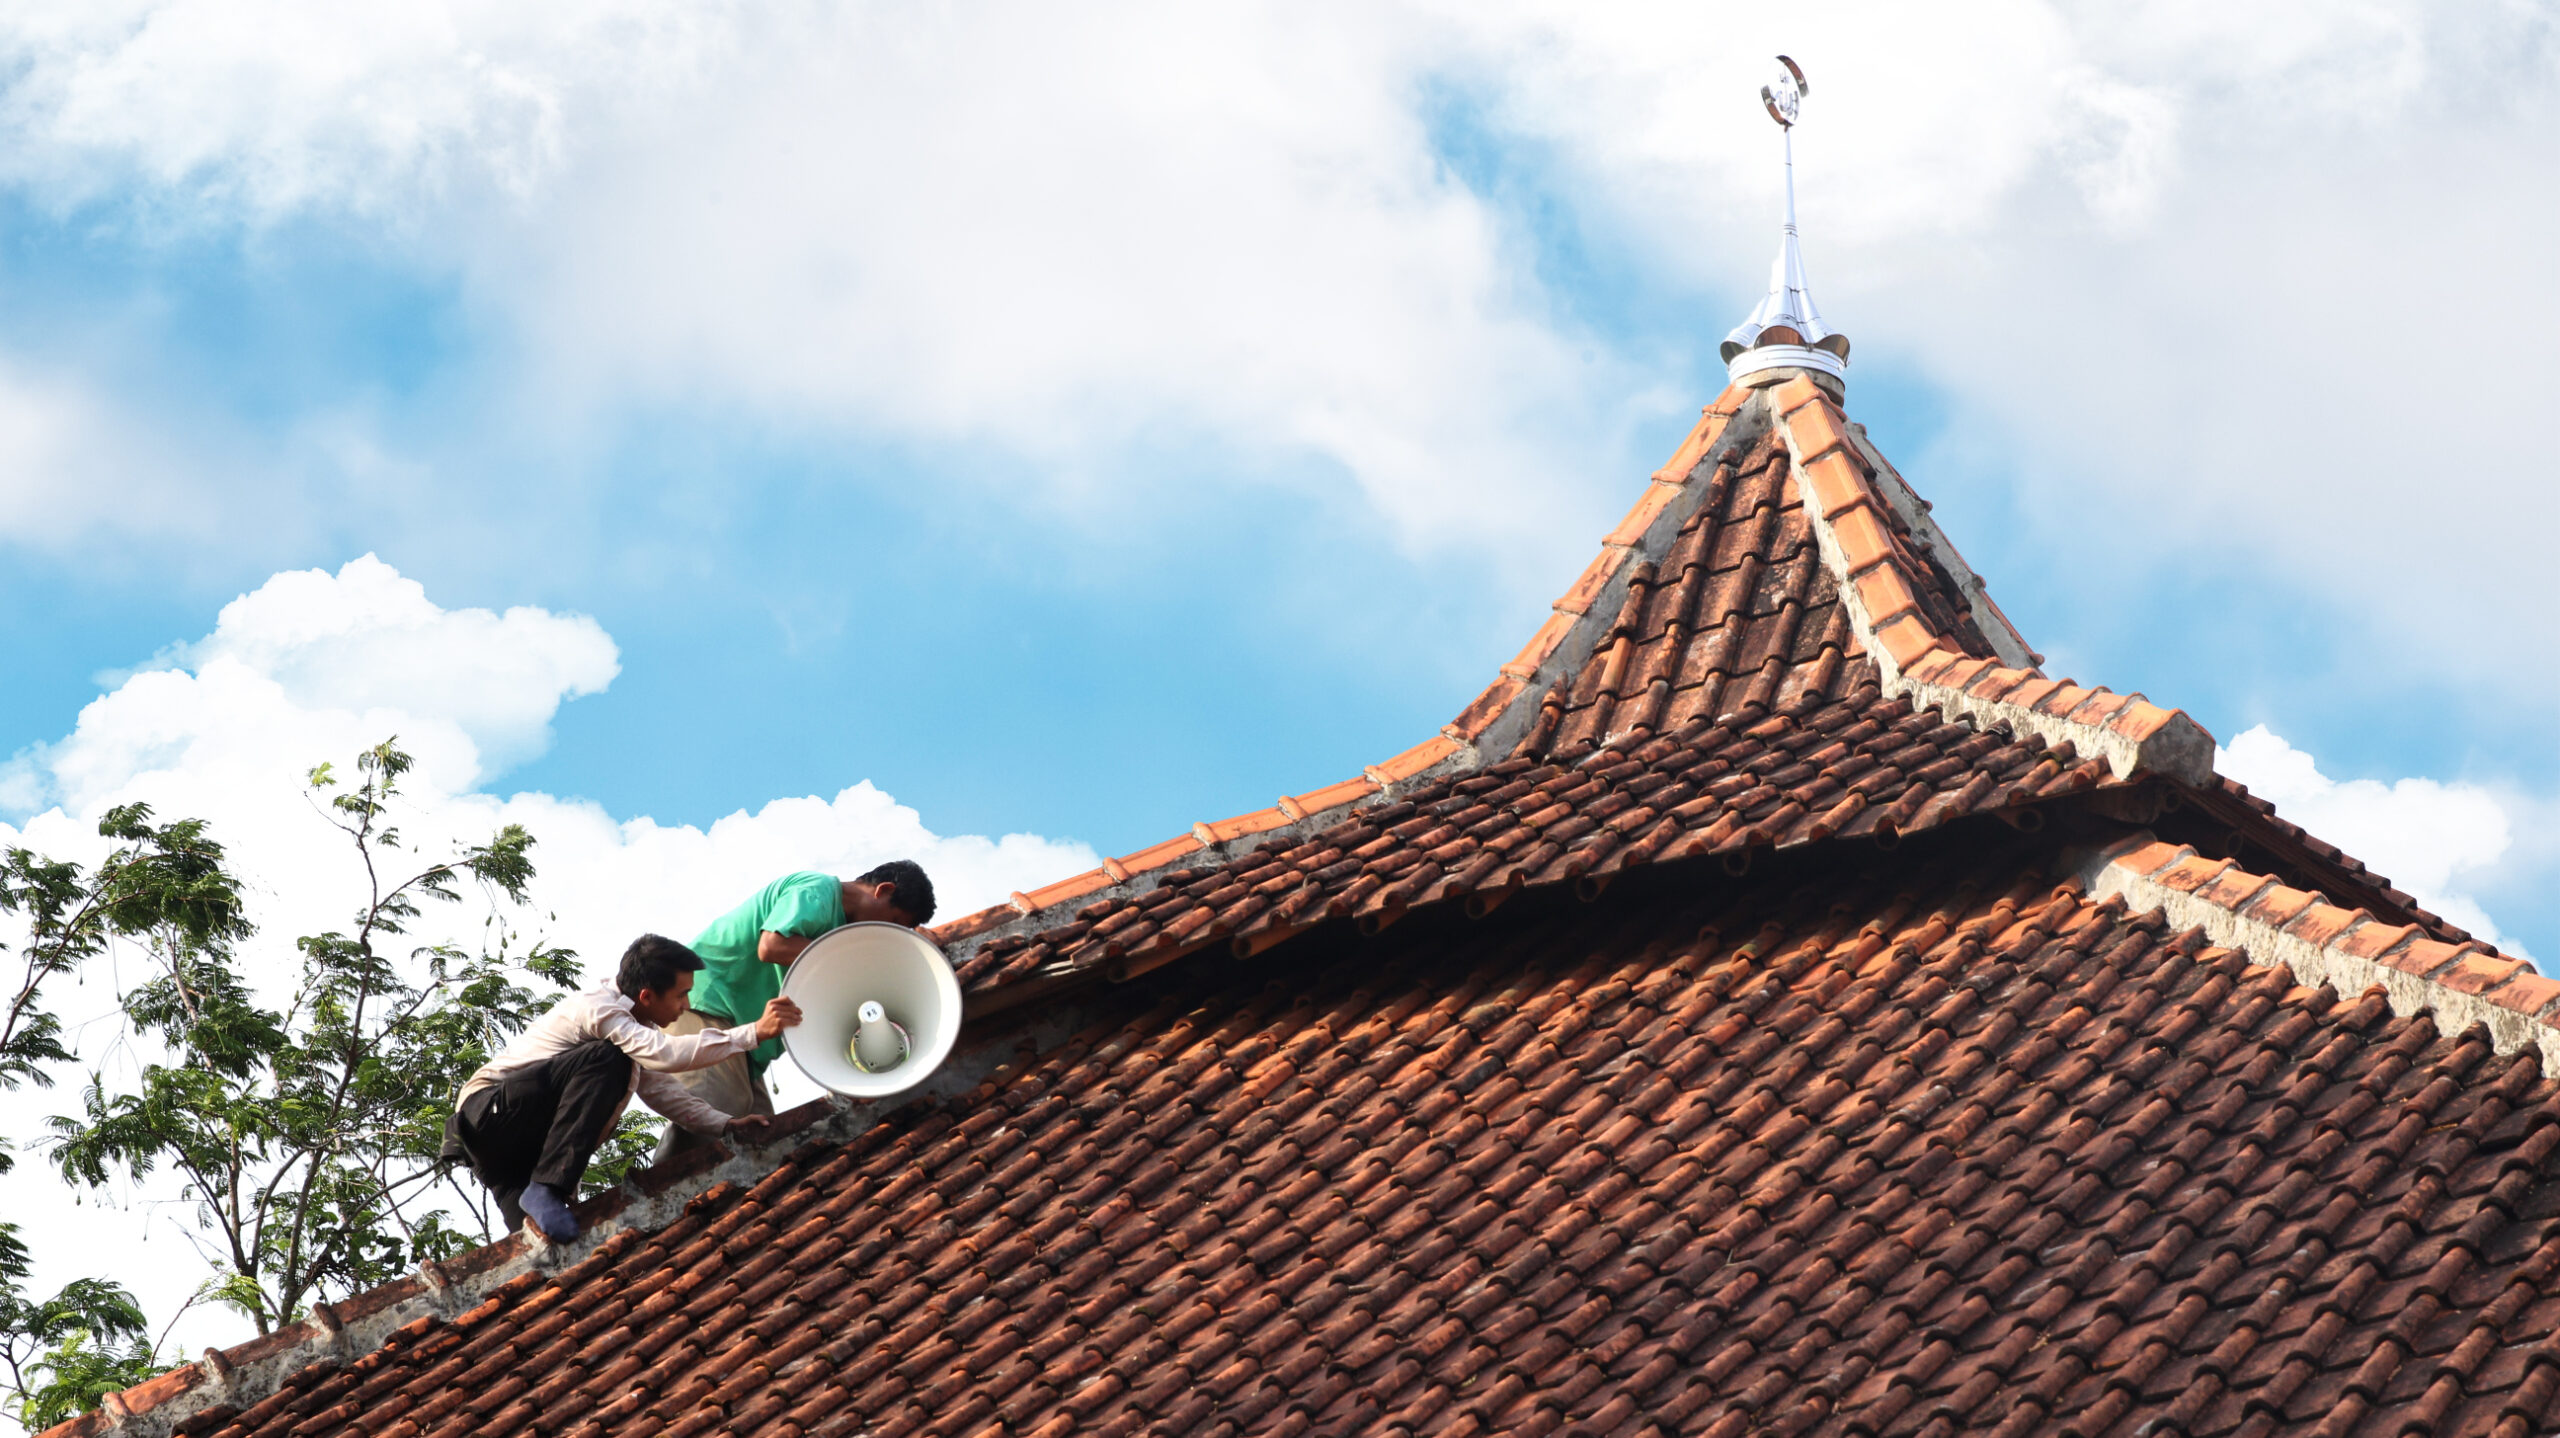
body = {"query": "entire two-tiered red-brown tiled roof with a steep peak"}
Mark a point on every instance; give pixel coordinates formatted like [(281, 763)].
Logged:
[(1773, 1007)]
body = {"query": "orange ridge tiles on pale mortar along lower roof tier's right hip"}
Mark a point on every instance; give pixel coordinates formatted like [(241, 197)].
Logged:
[(2326, 945)]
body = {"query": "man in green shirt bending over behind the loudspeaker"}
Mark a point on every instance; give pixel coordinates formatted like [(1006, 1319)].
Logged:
[(746, 953)]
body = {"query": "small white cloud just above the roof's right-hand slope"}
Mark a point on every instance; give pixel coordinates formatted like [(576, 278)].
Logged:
[(2433, 841)]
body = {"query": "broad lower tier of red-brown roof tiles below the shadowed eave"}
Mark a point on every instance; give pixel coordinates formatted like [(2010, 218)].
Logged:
[(1929, 1148)]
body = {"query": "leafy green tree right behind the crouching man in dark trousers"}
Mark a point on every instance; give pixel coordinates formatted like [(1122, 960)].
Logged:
[(308, 1137)]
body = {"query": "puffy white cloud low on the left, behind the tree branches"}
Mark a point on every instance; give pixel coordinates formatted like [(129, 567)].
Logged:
[(316, 667)]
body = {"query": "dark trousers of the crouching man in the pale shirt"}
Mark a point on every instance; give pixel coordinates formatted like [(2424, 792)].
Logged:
[(541, 1125)]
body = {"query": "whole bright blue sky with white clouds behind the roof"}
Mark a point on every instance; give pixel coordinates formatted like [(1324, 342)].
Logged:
[(800, 436)]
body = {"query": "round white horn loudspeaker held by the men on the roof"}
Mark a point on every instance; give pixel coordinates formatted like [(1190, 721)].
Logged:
[(879, 1009)]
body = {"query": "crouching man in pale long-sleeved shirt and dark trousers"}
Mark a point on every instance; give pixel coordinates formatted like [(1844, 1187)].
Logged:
[(534, 1114)]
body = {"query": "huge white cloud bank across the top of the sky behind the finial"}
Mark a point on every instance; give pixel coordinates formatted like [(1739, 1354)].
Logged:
[(2177, 262)]
